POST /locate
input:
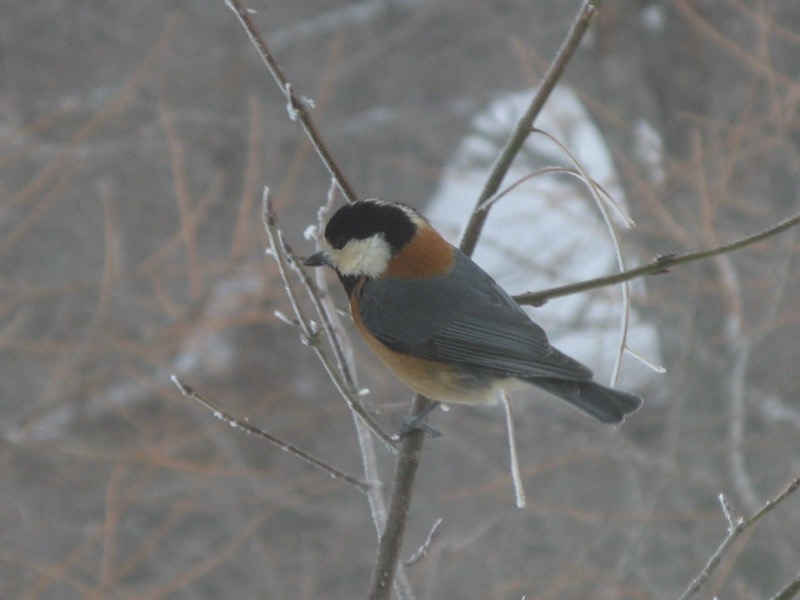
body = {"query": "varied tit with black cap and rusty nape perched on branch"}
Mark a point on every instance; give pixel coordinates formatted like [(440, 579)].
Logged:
[(440, 323)]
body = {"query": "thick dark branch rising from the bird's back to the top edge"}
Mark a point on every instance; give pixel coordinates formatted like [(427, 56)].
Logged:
[(555, 69)]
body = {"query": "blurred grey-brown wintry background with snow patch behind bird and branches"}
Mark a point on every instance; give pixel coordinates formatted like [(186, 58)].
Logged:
[(135, 139)]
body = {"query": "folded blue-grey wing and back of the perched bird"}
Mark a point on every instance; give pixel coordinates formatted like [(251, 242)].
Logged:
[(463, 318)]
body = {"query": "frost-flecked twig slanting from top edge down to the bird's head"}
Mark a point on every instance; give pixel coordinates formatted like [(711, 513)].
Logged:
[(298, 106)]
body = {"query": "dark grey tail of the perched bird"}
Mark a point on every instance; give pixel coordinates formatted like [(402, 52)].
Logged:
[(603, 403)]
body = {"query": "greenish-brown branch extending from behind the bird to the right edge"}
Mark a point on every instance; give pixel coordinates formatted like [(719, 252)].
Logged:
[(660, 264)]
